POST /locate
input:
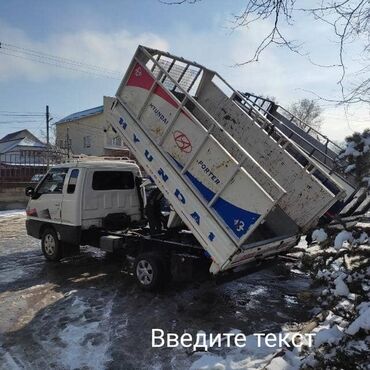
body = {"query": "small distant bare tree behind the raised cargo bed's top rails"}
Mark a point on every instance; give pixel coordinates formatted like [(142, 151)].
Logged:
[(309, 112)]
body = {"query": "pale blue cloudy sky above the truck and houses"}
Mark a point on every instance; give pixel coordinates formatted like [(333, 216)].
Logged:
[(106, 33)]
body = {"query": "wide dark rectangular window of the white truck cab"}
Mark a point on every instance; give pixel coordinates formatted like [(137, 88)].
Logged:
[(113, 180)]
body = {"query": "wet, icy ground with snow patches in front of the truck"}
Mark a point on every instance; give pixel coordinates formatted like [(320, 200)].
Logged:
[(84, 313)]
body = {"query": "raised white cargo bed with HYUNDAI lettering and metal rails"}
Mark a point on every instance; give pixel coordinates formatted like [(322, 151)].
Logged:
[(225, 191)]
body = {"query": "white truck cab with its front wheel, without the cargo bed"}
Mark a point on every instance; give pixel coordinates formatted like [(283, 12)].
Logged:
[(74, 201)]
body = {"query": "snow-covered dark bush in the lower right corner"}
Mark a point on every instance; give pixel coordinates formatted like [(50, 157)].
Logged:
[(342, 338)]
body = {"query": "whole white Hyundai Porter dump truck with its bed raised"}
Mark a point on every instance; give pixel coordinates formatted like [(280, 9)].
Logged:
[(240, 190)]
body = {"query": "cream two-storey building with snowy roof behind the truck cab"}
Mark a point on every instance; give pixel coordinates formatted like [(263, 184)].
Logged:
[(89, 132)]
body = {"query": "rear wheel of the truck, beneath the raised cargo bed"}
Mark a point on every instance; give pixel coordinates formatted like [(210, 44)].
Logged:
[(149, 271)]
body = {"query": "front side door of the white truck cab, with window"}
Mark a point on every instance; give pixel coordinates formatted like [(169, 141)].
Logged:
[(48, 197)]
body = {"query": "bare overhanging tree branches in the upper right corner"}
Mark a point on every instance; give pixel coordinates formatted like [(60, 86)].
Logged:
[(348, 19)]
